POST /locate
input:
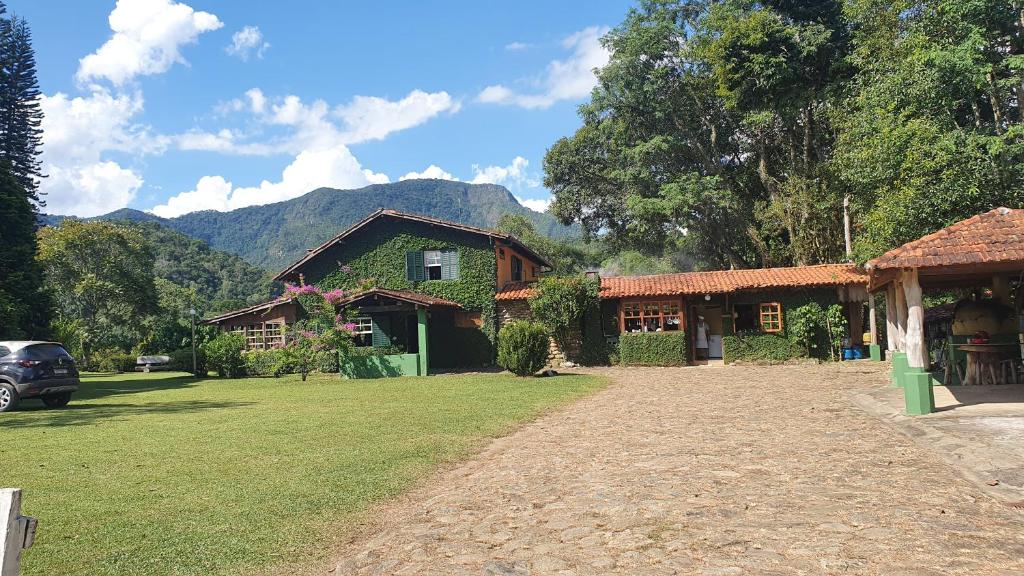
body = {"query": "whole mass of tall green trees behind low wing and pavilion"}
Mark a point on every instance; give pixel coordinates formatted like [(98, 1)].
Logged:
[(735, 132)]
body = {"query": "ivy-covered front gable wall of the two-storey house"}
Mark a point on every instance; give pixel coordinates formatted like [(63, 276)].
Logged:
[(378, 252)]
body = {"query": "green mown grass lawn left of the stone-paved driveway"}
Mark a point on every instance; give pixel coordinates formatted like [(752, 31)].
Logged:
[(159, 474)]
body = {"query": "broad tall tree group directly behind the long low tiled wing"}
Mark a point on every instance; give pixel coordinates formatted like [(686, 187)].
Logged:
[(709, 132)]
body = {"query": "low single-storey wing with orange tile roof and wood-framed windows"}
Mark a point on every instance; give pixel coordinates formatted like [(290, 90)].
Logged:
[(734, 304)]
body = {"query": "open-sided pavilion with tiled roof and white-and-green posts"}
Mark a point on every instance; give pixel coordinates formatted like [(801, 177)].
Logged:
[(984, 256)]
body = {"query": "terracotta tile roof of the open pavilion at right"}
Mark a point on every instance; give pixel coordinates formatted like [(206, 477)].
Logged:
[(996, 237)]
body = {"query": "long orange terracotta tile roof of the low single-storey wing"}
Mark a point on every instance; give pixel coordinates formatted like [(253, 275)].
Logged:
[(716, 282)]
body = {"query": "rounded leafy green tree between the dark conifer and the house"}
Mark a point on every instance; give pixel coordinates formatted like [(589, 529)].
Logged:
[(102, 275)]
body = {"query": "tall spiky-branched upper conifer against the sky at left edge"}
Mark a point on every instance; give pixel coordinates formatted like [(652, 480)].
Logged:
[(21, 112)]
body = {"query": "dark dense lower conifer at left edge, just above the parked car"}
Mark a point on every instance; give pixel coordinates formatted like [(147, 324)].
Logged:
[(25, 308)]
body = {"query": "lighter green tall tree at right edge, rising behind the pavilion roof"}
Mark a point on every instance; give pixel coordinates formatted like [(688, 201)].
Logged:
[(933, 131)]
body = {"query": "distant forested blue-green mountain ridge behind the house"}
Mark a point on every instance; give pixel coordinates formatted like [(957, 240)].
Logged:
[(274, 236)]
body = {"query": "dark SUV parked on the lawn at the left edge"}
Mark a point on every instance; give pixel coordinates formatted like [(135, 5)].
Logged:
[(41, 371)]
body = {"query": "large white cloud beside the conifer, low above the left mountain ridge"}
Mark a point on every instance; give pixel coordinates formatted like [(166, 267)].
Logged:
[(76, 133)]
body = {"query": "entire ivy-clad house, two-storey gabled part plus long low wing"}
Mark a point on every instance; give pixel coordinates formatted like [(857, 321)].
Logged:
[(459, 284)]
